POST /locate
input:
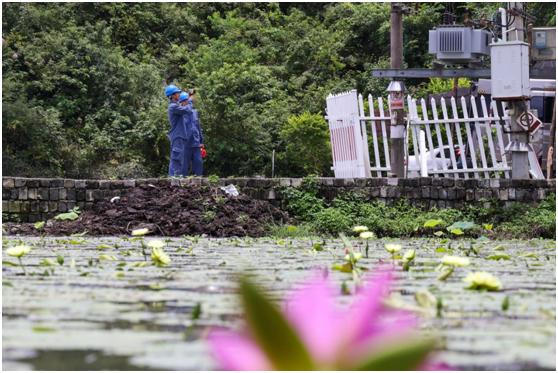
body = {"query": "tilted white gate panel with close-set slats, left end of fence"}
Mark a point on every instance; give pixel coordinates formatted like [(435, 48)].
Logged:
[(346, 138)]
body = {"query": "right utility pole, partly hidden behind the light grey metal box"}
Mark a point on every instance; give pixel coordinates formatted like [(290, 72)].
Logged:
[(519, 137)]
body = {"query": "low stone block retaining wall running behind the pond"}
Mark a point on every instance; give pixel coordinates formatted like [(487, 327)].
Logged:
[(26, 199)]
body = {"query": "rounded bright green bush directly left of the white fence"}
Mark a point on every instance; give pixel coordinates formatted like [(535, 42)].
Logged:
[(308, 149)]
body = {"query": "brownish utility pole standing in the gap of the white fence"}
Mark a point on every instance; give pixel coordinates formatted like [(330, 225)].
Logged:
[(397, 130)]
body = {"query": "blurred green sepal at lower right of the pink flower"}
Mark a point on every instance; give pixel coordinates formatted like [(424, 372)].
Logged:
[(407, 354)]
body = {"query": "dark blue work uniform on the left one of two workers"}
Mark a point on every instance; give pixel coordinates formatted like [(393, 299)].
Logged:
[(178, 136)]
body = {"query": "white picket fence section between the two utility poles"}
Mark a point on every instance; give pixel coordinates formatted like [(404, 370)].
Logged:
[(462, 146)]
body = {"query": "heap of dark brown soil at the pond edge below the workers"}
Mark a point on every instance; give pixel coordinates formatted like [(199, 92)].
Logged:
[(170, 211)]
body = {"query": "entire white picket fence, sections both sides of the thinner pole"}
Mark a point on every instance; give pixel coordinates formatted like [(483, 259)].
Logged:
[(470, 143)]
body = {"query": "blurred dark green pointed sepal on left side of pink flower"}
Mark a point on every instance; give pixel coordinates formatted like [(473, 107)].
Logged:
[(274, 334)]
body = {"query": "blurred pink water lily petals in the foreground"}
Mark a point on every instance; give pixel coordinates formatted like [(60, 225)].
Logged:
[(335, 338)]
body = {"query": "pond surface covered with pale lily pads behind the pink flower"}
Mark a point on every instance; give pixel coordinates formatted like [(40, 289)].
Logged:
[(92, 314)]
